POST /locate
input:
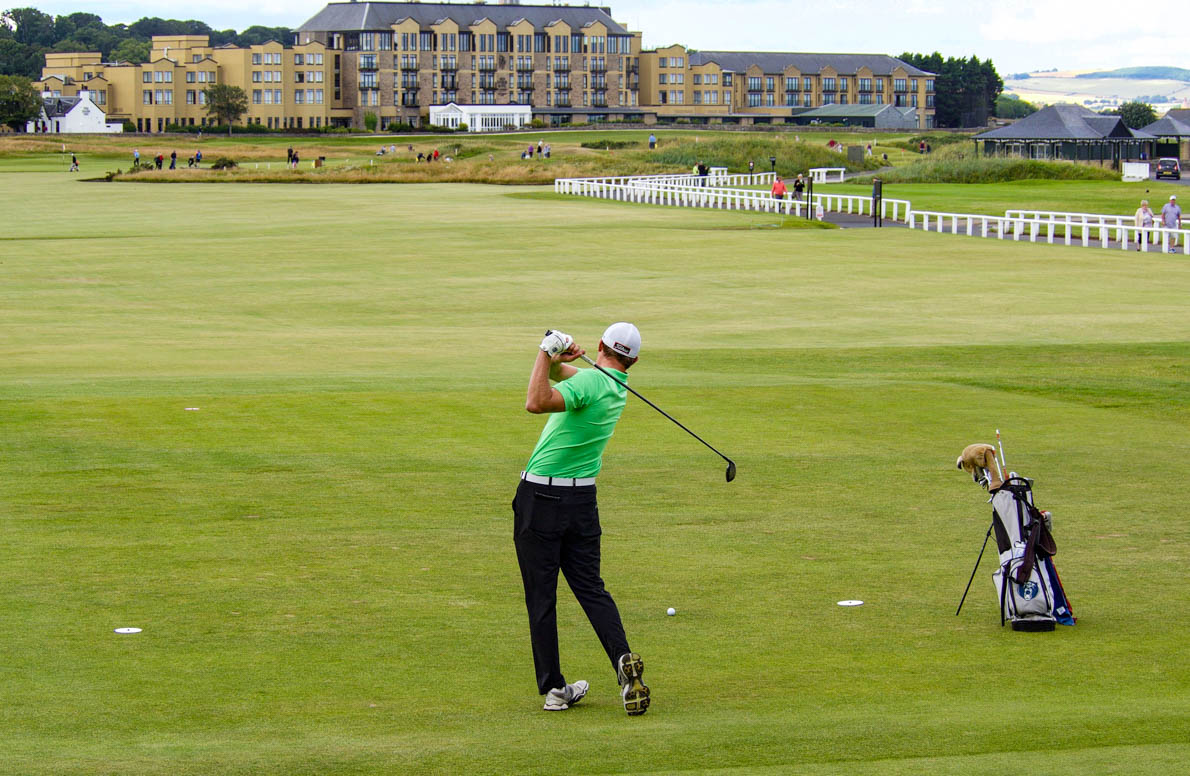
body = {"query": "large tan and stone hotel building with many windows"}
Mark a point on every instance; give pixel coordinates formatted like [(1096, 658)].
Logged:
[(567, 64)]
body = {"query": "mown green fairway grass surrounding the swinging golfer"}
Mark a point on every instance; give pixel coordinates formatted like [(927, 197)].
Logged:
[(279, 429)]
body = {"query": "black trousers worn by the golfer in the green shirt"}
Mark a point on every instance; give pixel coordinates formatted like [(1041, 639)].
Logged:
[(558, 529)]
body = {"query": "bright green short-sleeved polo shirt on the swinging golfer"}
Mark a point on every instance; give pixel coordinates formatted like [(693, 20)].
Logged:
[(573, 442)]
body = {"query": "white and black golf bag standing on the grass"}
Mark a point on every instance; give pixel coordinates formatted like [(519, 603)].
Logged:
[(1031, 594)]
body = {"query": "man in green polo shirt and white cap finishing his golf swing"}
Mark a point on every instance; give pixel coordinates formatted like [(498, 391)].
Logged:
[(556, 520)]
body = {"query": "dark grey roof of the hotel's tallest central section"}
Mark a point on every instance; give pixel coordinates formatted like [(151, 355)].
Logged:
[(346, 17)]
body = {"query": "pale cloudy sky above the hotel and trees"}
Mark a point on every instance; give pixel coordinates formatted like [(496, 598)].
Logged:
[(1017, 35)]
